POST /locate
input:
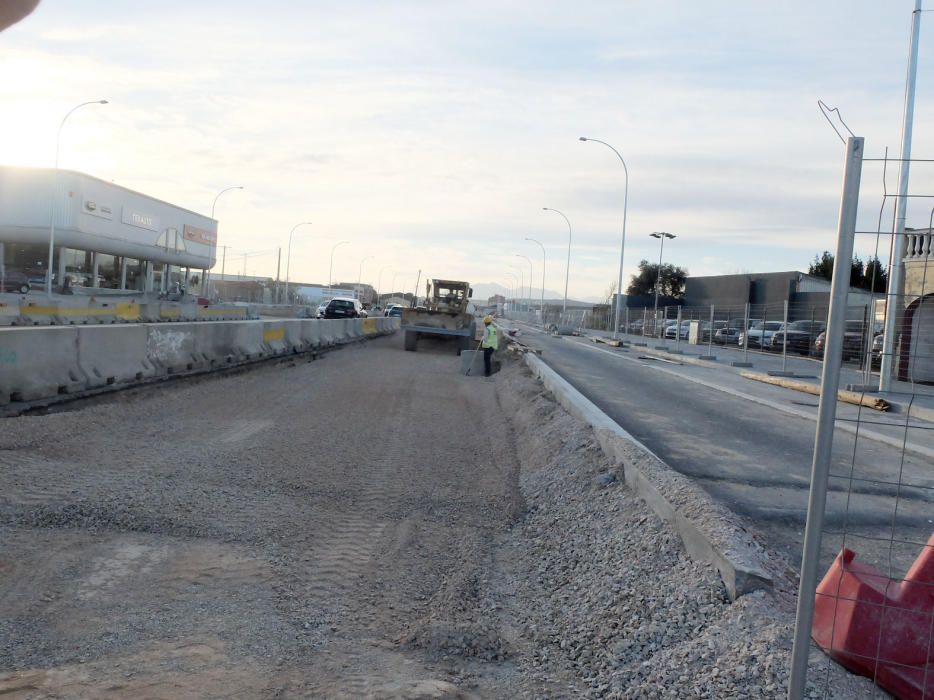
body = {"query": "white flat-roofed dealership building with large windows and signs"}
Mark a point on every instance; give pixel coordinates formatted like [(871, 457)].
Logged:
[(106, 236)]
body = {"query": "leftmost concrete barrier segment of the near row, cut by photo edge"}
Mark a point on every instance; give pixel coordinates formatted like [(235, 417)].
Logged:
[(38, 363)]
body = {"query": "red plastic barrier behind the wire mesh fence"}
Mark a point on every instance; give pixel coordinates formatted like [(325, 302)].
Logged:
[(880, 627)]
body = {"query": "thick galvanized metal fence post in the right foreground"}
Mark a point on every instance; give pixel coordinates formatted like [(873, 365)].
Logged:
[(826, 418)]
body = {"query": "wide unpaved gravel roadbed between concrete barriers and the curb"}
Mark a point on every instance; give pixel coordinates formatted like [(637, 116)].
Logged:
[(371, 524)]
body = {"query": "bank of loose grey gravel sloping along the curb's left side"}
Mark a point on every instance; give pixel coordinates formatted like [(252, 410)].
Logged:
[(614, 607)]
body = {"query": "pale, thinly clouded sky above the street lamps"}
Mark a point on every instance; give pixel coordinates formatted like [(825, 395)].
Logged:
[(430, 135)]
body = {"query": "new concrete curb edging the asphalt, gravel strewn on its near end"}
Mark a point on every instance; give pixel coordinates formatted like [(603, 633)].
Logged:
[(676, 500)]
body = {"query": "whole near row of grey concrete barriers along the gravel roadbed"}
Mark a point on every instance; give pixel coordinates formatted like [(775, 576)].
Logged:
[(49, 361)]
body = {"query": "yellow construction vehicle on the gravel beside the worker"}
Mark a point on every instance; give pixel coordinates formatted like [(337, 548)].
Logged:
[(443, 315)]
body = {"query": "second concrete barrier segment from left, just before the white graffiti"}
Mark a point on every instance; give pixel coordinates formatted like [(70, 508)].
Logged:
[(114, 354)]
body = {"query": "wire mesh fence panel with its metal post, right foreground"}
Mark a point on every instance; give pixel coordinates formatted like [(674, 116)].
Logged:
[(866, 596)]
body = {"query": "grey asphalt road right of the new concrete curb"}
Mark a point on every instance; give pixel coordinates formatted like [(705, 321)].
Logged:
[(754, 458)]
